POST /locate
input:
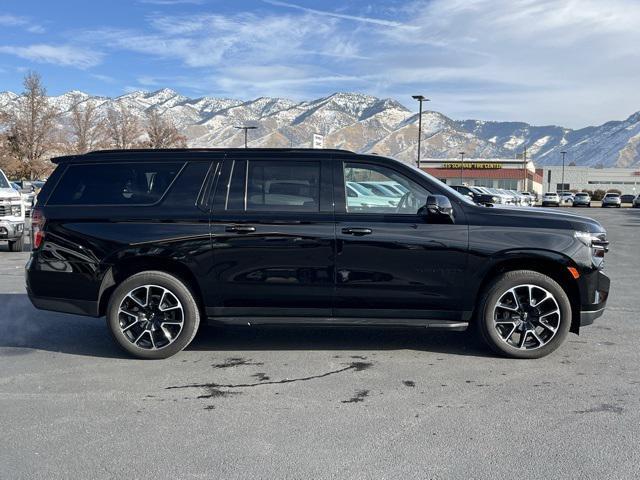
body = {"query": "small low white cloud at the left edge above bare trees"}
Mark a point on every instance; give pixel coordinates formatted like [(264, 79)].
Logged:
[(64, 55)]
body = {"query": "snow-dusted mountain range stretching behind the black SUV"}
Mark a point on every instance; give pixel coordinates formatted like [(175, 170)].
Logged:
[(365, 123)]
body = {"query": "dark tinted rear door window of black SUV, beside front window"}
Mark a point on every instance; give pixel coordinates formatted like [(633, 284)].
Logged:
[(283, 186)]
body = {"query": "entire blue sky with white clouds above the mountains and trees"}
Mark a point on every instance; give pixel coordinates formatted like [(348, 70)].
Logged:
[(567, 62)]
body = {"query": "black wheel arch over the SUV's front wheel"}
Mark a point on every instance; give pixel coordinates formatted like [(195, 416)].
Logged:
[(552, 264)]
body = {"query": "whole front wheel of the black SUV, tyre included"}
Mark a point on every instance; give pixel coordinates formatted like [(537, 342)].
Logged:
[(524, 314)]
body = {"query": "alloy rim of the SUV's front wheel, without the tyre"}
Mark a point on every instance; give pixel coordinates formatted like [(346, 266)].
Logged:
[(527, 317)]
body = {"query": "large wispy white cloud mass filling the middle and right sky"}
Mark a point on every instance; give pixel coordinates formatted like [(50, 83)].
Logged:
[(571, 62)]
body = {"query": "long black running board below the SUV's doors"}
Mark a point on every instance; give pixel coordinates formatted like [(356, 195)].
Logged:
[(452, 325)]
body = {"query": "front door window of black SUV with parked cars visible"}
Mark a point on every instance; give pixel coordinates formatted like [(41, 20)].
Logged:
[(368, 201)]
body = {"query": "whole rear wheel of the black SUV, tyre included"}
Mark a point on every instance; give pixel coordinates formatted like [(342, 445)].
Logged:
[(153, 315)]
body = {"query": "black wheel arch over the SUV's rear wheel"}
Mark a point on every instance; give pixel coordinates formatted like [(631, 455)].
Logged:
[(135, 264)]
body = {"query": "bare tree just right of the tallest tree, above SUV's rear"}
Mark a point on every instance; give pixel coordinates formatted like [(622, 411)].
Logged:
[(88, 130)]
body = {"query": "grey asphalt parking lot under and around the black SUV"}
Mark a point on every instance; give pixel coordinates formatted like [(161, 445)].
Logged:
[(321, 403)]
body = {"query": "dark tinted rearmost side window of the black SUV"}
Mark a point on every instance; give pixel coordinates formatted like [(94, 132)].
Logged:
[(141, 183)]
